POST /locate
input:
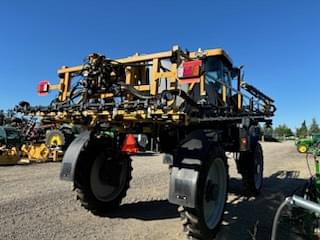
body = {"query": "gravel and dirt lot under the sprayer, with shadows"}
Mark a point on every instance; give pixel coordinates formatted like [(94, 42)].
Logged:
[(35, 204)]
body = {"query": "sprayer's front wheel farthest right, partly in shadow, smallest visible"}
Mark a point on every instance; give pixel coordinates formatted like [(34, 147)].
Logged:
[(251, 169)]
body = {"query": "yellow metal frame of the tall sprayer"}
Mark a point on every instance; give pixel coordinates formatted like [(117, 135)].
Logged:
[(65, 74)]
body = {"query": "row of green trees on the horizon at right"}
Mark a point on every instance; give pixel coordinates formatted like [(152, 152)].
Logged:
[(283, 130)]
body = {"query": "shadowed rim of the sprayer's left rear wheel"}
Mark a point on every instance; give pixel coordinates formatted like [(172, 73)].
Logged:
[(103, 178)]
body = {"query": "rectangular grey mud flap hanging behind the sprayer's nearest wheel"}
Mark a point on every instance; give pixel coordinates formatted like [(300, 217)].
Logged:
[(183, 186)]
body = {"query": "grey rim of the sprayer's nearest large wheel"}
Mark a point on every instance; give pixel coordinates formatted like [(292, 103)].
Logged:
[(215, 192)]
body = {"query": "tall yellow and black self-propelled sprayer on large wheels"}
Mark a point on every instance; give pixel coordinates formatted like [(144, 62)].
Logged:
[(195, 105)]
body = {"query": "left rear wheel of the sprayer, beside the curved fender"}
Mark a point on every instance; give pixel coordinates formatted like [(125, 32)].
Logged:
[(101, 193)]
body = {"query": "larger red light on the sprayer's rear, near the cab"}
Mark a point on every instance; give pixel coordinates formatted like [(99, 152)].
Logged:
[(190, 70)]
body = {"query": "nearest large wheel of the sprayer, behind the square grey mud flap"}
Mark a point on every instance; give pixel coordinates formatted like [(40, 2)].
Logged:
[(199, 223)]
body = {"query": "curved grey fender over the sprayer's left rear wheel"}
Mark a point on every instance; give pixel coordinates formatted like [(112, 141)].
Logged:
[(72, 154)]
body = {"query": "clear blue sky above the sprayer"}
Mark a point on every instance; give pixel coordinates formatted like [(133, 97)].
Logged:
[(277, 41)]
